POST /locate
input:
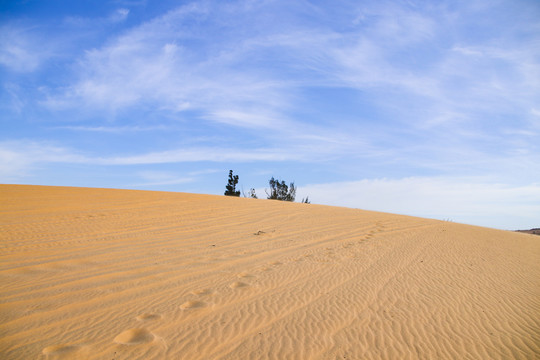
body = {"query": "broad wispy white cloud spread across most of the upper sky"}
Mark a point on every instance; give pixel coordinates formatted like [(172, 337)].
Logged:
[(218, 61)]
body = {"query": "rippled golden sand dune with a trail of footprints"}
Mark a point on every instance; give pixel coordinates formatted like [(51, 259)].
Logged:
[(118, 274)]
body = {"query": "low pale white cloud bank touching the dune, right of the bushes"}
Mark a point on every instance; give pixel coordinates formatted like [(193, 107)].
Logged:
[(472, 200)]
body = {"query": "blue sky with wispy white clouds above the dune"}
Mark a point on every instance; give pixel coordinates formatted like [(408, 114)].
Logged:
[(425, 108)]
